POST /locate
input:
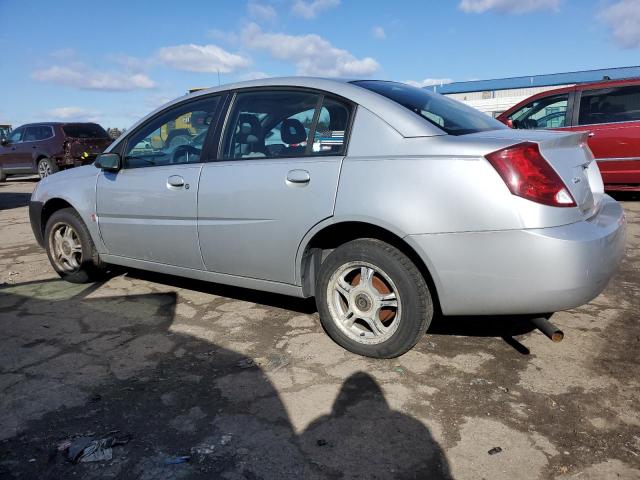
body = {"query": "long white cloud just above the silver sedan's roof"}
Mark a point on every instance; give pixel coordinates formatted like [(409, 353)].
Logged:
[(311, 54)]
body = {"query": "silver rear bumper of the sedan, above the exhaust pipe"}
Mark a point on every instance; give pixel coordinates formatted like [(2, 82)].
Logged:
[(525, 271)]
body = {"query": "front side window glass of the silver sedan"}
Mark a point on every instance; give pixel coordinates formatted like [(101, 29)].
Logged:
[(176, 136)]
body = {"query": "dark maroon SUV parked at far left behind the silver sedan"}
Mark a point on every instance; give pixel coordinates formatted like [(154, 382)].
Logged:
[(45, 148)]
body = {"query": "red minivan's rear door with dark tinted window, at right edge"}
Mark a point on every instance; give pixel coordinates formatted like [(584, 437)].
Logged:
[(611, 115)]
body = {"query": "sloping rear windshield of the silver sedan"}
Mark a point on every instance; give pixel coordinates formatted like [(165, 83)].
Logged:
[(449, 115)]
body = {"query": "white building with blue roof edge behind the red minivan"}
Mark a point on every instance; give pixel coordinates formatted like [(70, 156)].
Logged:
[(495, 96)]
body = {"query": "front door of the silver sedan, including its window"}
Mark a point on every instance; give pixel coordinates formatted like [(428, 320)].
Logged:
[(148, 209)]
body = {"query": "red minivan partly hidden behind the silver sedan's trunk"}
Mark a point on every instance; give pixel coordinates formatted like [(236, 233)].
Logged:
[(608, 110)]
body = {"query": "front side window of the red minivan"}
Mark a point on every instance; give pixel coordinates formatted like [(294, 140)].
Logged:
[(547, 112)]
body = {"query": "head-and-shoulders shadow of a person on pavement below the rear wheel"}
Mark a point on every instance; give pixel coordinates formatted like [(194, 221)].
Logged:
[(363, 438)]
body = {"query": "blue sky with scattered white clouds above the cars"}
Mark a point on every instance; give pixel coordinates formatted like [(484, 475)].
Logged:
[(113, 62)]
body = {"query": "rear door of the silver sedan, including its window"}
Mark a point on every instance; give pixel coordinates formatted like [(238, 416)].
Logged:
[(273, 181)]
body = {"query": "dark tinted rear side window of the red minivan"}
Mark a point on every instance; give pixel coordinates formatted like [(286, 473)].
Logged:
[(610, 105)]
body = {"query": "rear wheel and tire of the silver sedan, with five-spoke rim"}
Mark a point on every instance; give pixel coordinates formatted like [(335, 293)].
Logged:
[(374, 329)]
